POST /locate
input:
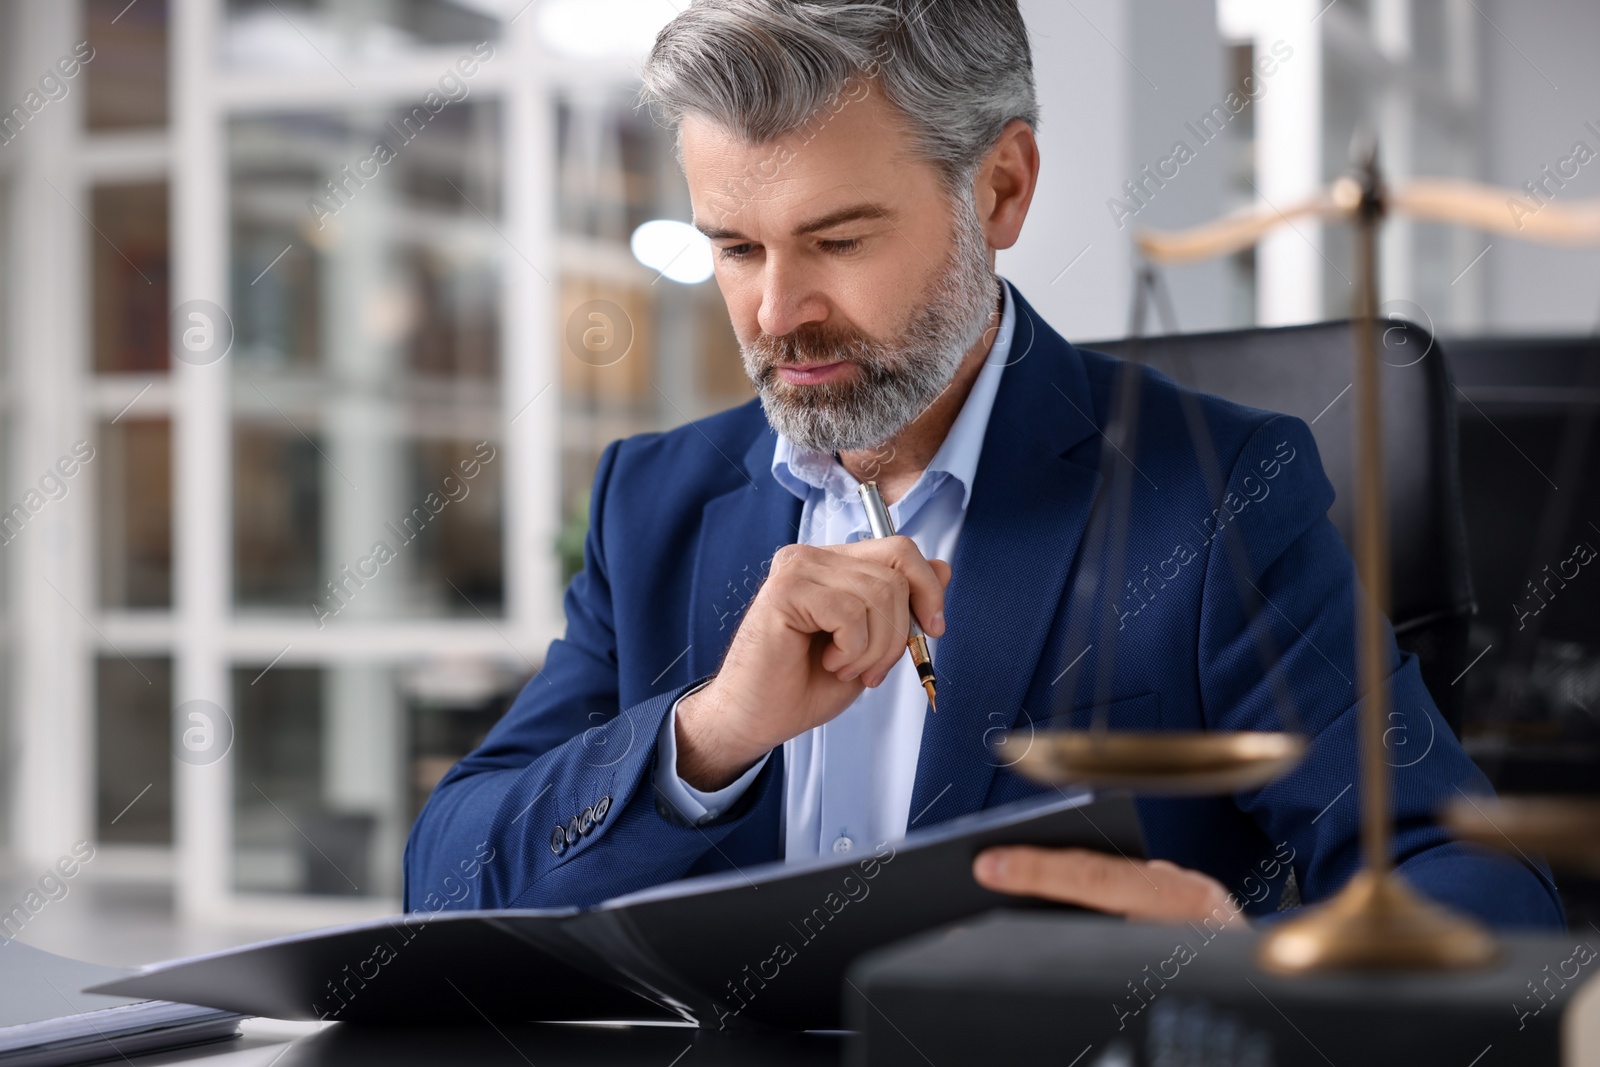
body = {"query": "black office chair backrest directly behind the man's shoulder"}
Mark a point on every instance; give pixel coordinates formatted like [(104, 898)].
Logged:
[(1306, 372)]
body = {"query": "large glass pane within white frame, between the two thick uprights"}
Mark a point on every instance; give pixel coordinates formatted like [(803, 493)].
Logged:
[(367, 417)]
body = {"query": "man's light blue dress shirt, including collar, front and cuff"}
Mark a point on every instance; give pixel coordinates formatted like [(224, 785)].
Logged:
[(849, 783)]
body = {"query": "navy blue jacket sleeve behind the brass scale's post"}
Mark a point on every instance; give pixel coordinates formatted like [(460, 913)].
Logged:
[(1295, 668)]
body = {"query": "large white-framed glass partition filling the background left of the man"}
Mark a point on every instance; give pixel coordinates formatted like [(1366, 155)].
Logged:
[(374, 625)]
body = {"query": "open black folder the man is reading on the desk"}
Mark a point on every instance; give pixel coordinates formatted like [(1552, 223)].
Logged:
[(762, 946)]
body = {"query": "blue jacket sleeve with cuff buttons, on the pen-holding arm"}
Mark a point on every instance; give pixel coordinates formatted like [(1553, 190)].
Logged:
[(558, 807)]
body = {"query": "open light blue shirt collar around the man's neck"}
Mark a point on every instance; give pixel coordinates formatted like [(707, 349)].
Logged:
[(802, 471)]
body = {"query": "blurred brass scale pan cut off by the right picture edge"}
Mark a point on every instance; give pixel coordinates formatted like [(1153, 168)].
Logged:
[(1566, 831)]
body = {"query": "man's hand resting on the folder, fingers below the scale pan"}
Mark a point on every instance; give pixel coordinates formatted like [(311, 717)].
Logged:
[(1145, 890)]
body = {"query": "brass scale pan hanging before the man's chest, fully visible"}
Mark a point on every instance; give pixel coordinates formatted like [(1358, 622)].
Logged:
[(1154, 762)]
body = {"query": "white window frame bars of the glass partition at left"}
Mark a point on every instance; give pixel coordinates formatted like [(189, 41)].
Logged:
[(57, 644)]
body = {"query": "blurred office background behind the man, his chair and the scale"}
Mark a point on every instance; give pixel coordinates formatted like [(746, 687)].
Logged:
[(404, 351)]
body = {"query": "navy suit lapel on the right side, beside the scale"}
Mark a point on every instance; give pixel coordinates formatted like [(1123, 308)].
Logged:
[(1025, 522)]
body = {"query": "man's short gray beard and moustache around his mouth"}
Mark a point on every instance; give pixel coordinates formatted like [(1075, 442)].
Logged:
[(897, 380)]
